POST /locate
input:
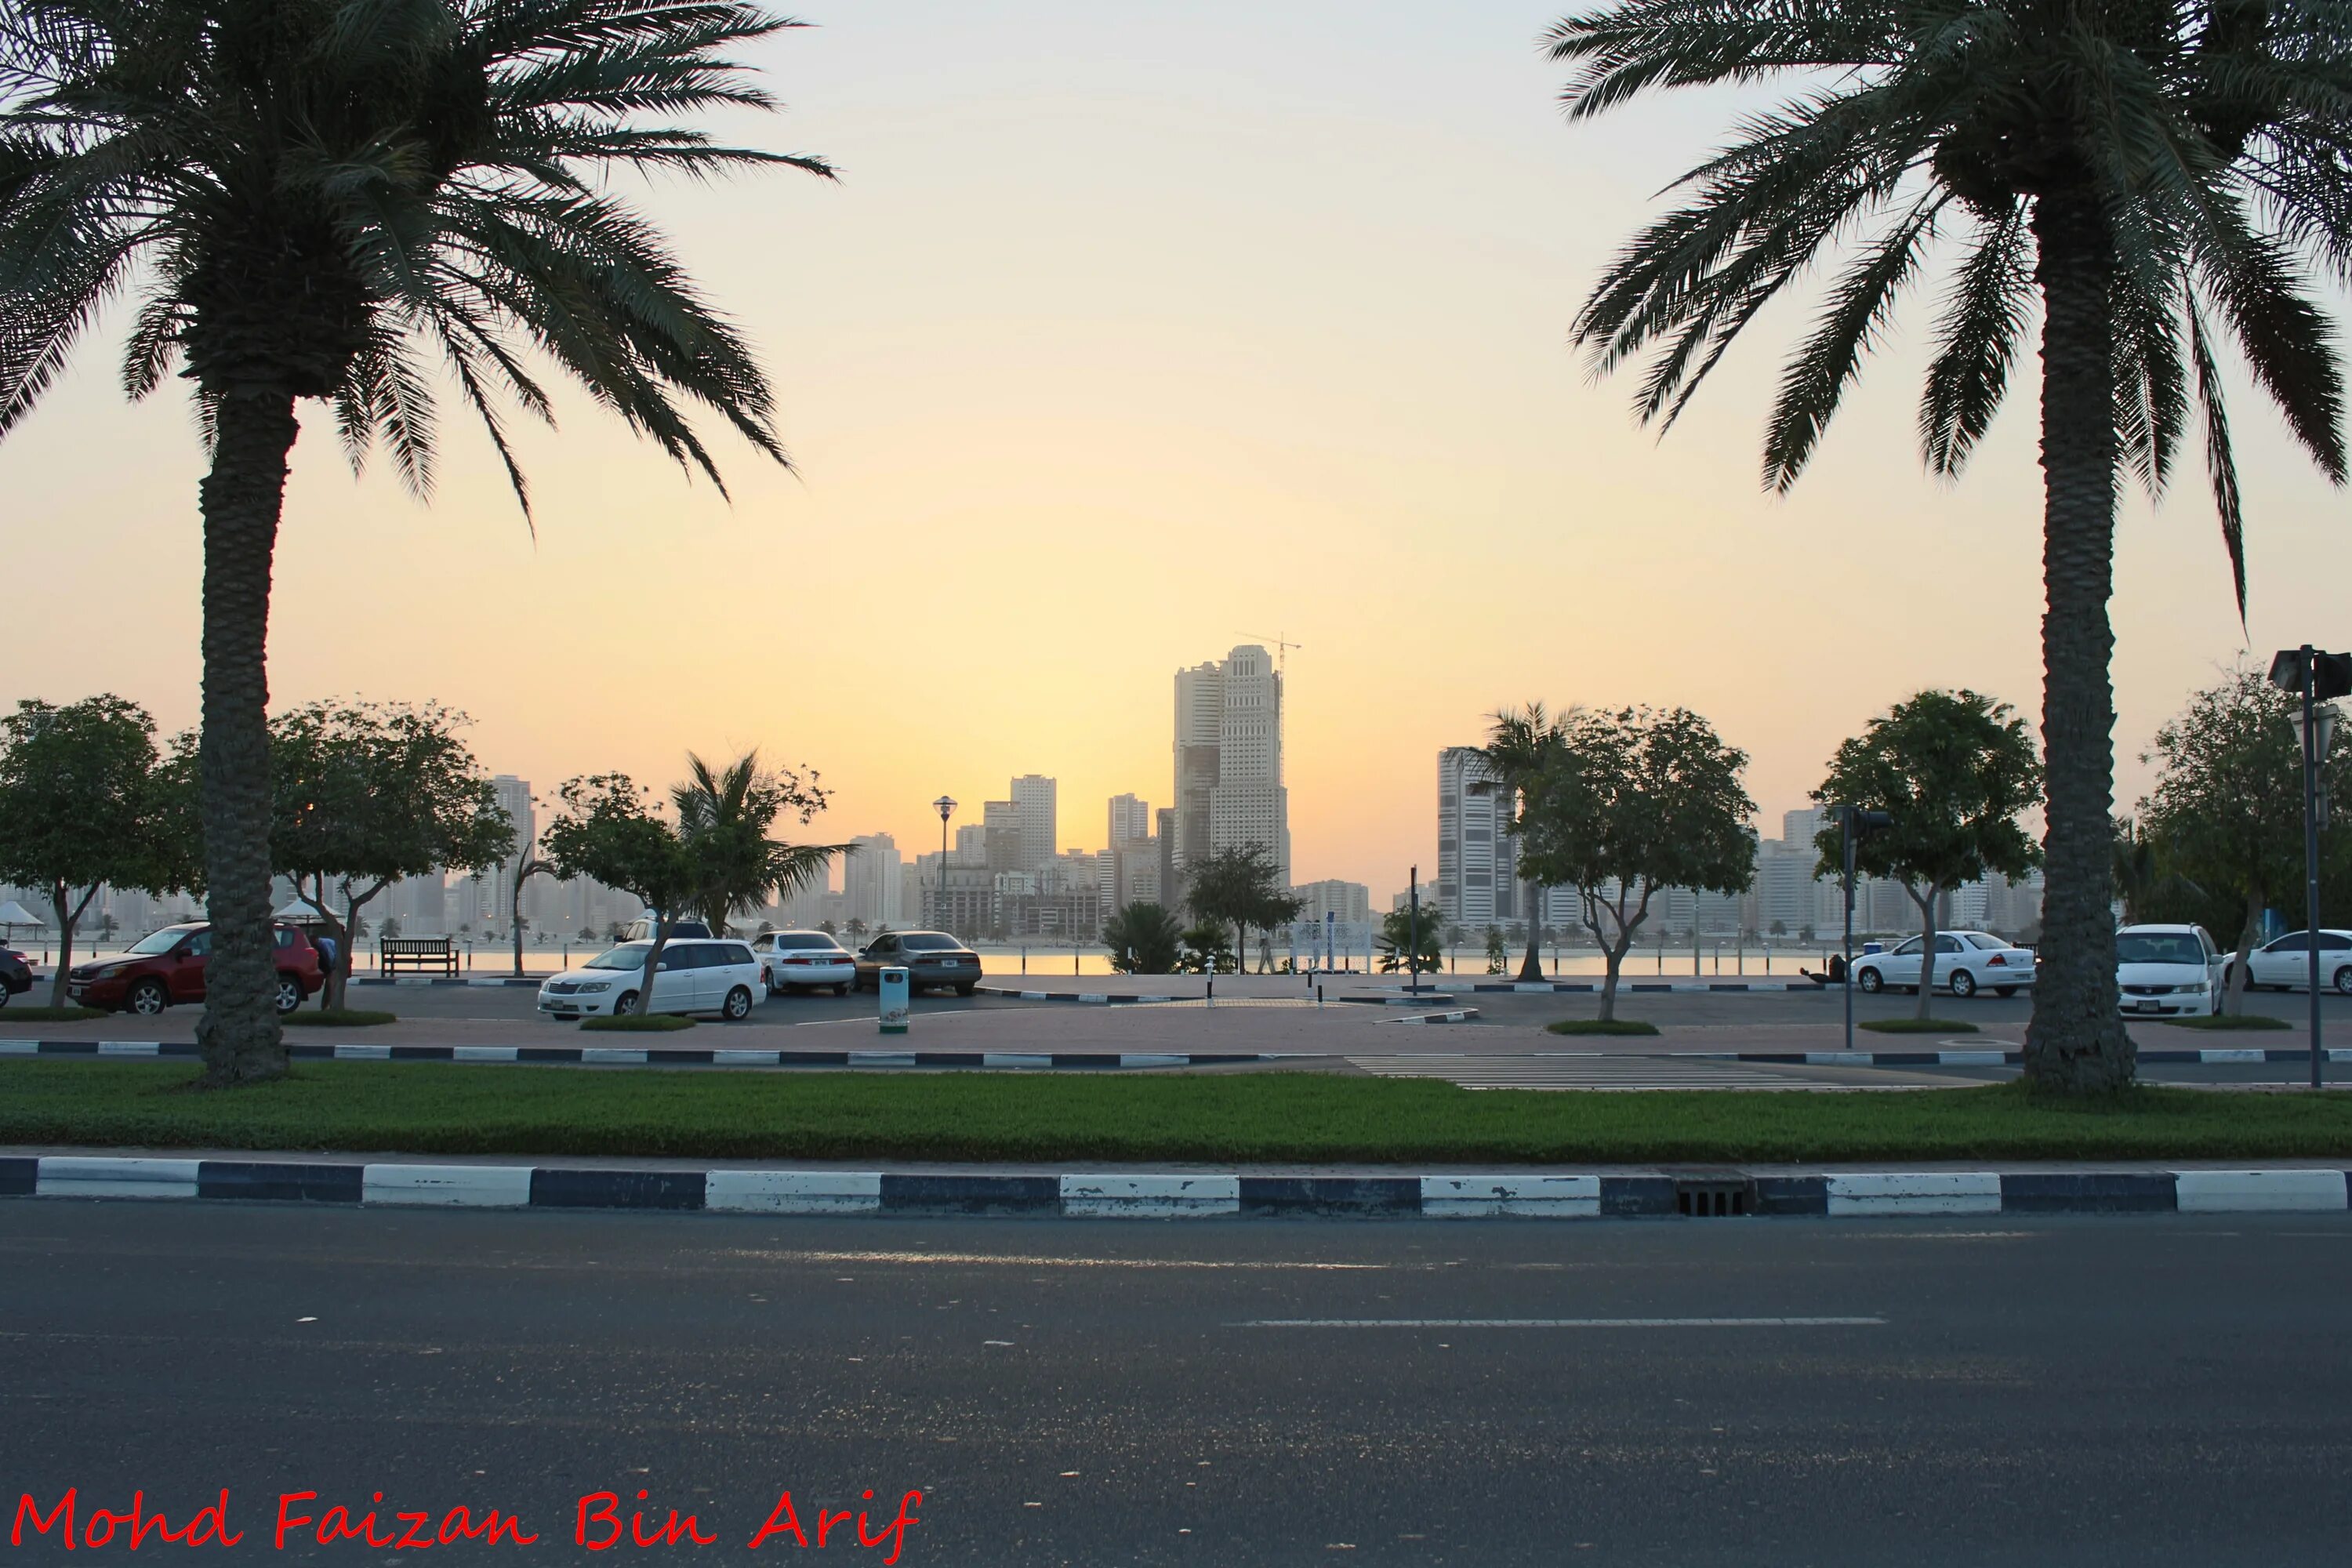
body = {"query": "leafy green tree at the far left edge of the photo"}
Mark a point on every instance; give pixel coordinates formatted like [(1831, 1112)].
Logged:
[(76, 791)]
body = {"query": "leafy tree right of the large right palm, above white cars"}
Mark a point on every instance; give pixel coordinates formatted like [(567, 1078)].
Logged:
[(2226, 812)]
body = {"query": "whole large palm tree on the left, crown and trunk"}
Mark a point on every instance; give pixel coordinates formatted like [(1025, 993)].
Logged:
[(316, 199)]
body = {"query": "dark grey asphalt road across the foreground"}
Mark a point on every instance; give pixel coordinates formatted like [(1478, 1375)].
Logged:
[(2125, 1391)]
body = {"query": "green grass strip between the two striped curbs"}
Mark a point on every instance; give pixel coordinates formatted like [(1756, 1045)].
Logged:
[(1295, 1118)]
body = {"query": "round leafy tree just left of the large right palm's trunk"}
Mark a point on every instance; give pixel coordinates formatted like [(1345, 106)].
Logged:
[(1953, 770)]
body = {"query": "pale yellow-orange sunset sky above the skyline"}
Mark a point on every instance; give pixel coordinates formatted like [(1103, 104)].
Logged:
[(1130, 330)]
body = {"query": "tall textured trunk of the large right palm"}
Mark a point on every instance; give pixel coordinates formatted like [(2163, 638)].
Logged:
[(2078, 1040)]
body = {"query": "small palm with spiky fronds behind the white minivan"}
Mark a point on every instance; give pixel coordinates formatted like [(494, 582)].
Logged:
[(726, 817)]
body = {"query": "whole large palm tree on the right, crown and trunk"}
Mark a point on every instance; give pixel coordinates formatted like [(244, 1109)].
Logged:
[(2160, 175)]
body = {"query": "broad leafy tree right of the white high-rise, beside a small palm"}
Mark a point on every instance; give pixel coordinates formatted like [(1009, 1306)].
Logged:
[(1633, 803)]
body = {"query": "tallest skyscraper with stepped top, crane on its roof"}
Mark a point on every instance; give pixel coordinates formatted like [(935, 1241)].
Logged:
[(1229, 760)]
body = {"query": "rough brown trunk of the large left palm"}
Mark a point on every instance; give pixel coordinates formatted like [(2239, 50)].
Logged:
[(243, 497)]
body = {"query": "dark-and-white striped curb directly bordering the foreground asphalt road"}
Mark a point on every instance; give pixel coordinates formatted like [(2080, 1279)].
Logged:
[(1180, 1195)]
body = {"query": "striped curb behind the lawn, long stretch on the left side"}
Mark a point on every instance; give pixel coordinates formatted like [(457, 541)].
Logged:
[(653, 1057)]
